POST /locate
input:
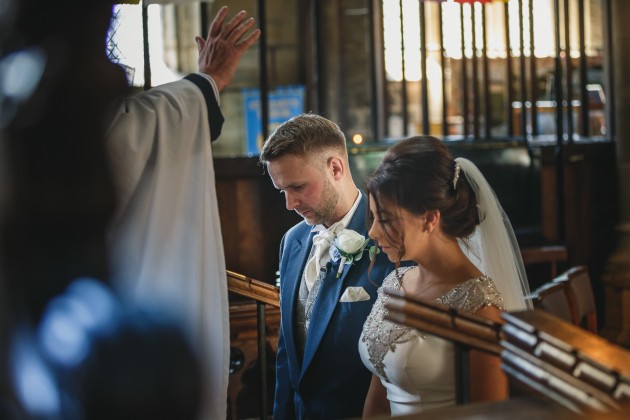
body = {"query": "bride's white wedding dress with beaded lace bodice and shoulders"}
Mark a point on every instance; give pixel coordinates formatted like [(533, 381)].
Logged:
[(418, 369)]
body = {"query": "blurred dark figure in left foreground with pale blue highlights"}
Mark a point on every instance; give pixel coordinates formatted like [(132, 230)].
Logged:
[(69, 349)]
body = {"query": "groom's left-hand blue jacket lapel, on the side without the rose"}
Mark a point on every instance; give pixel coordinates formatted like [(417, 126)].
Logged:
[(299, 252)]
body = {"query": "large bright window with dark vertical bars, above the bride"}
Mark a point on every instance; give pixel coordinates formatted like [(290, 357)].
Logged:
[(449, 71)]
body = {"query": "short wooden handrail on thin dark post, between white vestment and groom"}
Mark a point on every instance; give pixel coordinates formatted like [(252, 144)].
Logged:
[(263, 294)]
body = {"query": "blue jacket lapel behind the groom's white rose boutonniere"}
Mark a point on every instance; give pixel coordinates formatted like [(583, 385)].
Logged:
[(330, 292)]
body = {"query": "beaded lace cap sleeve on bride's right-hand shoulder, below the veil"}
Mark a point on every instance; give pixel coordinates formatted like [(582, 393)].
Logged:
[(474, 294)]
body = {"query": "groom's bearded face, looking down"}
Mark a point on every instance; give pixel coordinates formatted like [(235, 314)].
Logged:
[(306, 188)]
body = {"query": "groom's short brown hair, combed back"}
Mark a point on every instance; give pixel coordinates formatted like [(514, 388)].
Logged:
[(303, 135)]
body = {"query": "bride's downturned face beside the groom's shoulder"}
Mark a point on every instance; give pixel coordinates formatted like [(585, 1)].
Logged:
[(396, 229)]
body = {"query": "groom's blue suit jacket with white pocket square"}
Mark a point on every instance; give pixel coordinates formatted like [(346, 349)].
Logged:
[(330, 381)]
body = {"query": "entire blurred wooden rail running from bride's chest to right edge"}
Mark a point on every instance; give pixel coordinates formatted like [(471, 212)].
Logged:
[(543, 354)]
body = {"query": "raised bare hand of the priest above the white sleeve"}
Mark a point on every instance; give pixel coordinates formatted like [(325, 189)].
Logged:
[(221, 52)]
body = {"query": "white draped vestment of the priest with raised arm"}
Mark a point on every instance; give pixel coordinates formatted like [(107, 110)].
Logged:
[(167, 250)]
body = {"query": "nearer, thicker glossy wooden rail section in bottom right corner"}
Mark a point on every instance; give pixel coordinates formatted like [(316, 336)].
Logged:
[(558, 360)]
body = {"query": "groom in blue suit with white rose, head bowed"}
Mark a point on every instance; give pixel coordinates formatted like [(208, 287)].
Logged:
[(319, 373)]
